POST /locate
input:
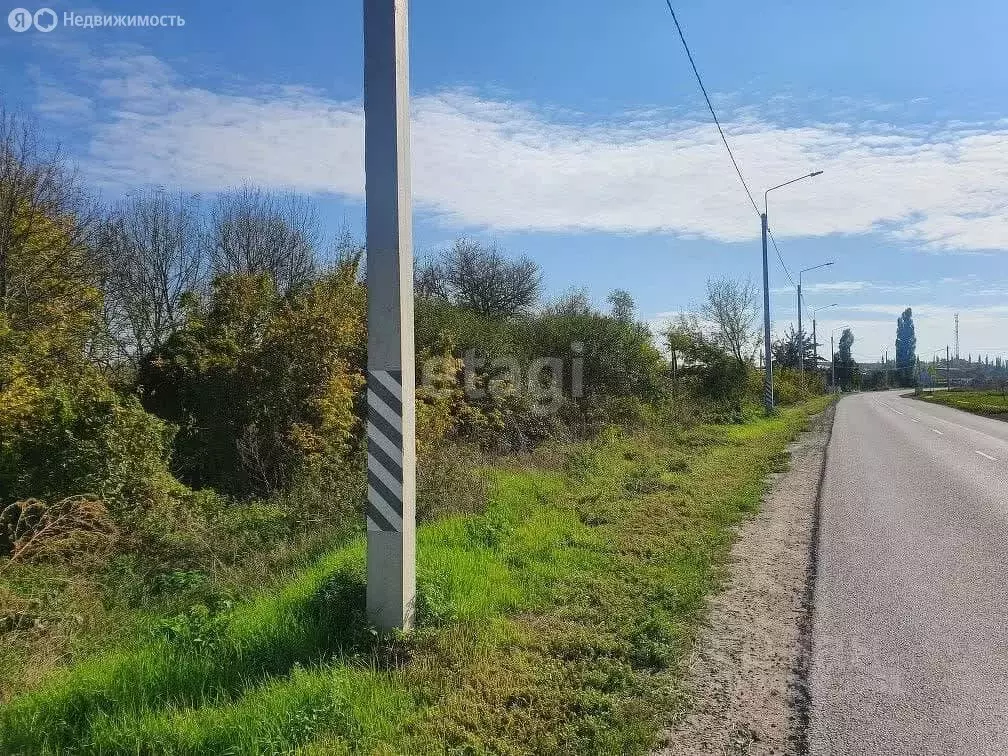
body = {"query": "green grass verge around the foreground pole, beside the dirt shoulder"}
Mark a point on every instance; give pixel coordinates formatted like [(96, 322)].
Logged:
[(554, 623)]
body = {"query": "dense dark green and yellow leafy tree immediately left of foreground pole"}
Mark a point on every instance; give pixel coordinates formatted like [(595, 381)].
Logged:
[(263, 387)]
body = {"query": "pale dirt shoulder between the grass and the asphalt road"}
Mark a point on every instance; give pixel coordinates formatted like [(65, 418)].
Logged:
[(744, 692)]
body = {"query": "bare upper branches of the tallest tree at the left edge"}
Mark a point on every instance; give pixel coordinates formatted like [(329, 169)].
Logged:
[(47, 221)]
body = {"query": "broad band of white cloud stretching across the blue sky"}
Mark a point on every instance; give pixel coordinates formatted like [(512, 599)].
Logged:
[(513, 167)]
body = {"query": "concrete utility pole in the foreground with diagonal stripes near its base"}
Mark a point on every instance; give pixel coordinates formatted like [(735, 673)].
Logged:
[(392, 519)]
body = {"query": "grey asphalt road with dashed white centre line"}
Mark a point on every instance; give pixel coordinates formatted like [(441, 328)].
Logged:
[(911, 625)]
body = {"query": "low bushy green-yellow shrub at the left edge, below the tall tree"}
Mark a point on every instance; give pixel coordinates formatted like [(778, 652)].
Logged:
[(65, 433)]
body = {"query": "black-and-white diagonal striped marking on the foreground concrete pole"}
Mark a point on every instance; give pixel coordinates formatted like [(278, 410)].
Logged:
[(386, 451)]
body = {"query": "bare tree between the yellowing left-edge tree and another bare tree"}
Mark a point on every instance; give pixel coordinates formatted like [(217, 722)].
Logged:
[(154, 244)]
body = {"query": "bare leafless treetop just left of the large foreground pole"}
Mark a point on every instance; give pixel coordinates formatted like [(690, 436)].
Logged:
[(257, 232)]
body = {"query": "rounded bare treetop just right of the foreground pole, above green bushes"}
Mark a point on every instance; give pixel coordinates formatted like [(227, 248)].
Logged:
[(481, 278)]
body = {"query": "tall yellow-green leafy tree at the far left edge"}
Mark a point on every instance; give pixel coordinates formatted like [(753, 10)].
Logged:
[(64, 431)]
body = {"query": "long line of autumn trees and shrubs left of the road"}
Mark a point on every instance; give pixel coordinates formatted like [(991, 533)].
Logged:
[(182, 379)]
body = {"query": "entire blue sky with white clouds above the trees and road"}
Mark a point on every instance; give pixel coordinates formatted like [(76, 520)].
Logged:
[(574, 133)]
